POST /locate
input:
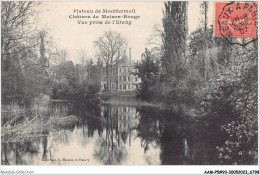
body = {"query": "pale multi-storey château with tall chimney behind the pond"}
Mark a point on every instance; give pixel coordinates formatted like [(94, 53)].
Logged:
[(123, 77)]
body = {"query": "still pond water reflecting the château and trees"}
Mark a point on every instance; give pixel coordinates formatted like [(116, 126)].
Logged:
[(119, 135)]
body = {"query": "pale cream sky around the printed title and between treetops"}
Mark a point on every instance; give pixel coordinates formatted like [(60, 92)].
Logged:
[(77, 38)]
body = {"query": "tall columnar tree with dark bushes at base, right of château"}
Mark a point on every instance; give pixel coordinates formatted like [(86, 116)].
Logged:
[(173, 81)]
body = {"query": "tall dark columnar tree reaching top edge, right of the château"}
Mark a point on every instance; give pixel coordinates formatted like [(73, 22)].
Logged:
[(175, 28)]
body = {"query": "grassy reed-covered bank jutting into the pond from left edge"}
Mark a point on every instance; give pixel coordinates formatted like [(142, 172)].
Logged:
[(21, 125)]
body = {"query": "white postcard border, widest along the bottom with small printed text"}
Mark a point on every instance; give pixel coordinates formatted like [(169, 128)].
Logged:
[(163, 169)]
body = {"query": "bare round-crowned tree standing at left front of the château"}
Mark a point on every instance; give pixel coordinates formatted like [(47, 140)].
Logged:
[(111, 45)]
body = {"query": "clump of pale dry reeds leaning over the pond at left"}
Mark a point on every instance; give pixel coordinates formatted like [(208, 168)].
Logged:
[(24, 128)]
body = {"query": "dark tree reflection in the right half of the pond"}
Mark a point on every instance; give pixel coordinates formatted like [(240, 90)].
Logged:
[(180, 140)]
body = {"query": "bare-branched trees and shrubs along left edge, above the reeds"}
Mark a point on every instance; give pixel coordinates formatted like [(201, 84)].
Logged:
[(23, 53)]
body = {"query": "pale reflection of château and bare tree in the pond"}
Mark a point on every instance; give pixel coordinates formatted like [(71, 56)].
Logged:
[(118, 123)]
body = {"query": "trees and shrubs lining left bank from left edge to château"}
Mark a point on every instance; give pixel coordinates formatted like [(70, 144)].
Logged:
[(31, 65)]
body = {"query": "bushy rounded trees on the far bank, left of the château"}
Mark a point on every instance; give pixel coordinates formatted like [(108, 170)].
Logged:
[(76, 82)]
